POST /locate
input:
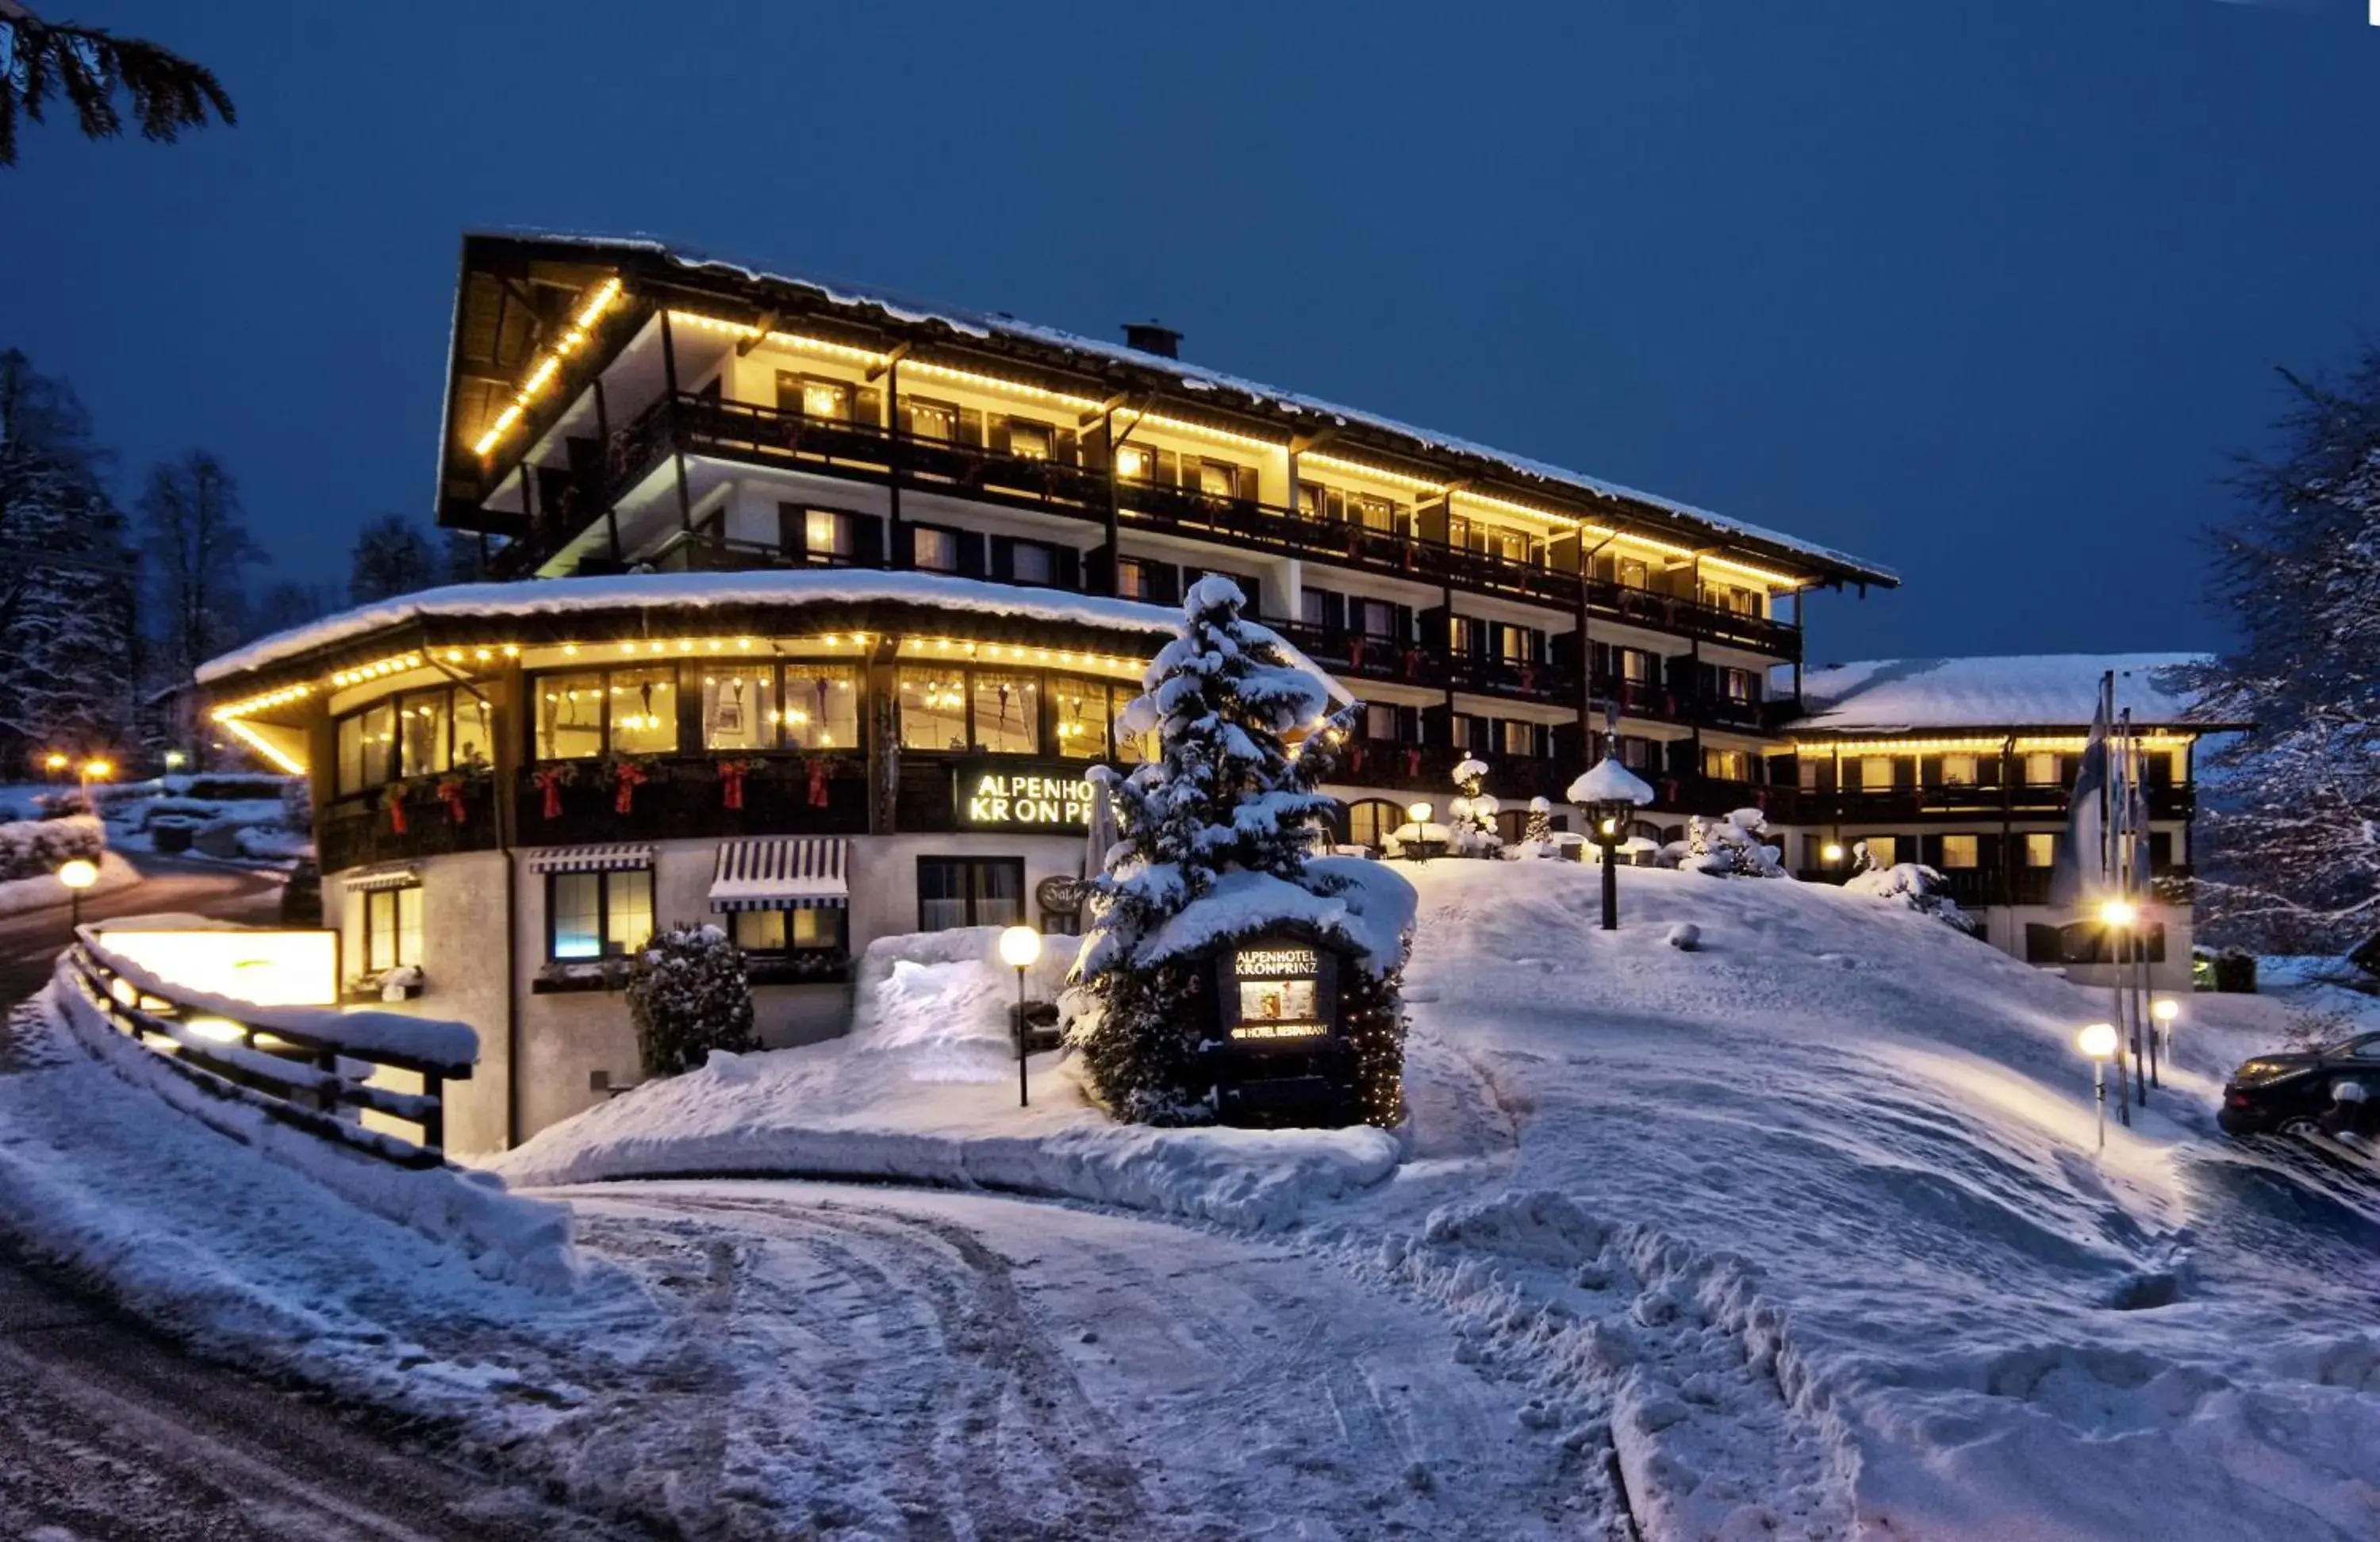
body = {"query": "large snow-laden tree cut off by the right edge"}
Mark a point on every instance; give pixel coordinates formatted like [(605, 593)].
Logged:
[(2291, 844)]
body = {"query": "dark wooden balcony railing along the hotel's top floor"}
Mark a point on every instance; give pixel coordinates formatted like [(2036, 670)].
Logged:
[(772, 437)]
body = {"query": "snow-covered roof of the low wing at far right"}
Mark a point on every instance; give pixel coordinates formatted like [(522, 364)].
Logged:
[(2024, 691)]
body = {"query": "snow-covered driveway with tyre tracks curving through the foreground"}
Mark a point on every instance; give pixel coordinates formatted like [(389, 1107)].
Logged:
[(929, 1365)]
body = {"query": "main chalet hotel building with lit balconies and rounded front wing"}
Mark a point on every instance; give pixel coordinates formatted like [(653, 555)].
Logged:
[(820, 603)]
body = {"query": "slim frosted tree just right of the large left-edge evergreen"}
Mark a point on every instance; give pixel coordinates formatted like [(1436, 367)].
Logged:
[(199, 549)]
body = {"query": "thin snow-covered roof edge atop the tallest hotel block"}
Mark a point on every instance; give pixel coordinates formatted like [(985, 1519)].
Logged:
[(984, 325)]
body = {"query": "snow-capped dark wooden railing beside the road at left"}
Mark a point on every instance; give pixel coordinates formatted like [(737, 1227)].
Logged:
[(306, 1067)]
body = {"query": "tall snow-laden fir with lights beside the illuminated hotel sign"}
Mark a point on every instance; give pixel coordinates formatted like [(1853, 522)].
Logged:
[(1227, 796)]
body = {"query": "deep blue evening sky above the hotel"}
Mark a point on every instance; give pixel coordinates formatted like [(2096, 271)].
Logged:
[(1984, 292)]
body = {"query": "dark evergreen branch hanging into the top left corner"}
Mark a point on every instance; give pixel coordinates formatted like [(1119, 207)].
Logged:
[(89, 65)]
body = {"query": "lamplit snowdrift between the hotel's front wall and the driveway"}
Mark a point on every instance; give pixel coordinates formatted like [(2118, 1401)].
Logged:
[(925, 1091)]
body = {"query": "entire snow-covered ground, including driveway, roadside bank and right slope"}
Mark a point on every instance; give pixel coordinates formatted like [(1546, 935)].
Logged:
[(1796, 1234)]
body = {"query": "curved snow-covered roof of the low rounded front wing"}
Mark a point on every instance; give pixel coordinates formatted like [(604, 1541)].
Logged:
[(699, 591)]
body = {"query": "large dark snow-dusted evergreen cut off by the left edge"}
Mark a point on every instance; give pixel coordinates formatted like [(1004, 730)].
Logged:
[(68, 589)]
